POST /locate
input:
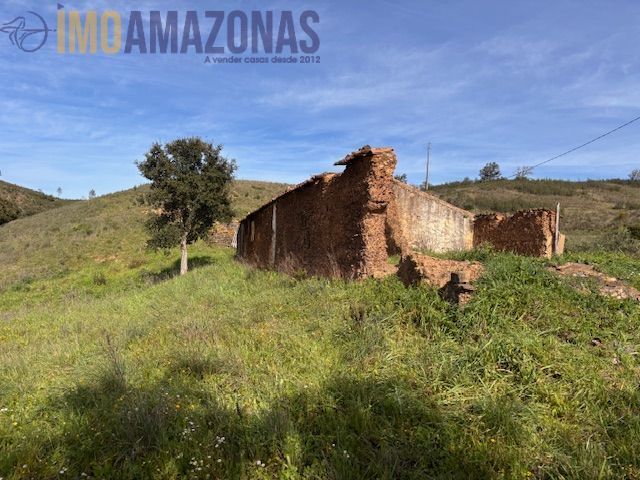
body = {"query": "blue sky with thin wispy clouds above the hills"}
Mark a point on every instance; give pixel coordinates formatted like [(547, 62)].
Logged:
[(505, 81)]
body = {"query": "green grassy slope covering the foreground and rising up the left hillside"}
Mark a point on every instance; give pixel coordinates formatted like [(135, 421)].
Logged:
[(113, 367)]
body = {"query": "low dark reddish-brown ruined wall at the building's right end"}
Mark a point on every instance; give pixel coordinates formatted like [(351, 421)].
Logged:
[(529, 232)]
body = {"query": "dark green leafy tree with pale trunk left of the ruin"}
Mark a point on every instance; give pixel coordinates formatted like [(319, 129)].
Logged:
[(190, 183)]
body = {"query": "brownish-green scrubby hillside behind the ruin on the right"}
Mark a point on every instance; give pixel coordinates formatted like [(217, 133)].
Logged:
[(593, 212)]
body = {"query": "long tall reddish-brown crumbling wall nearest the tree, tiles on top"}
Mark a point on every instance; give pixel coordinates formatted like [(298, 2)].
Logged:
[(331, 225)]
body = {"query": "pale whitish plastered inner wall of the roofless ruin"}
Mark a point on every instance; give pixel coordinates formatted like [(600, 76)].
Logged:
[(430, 224)]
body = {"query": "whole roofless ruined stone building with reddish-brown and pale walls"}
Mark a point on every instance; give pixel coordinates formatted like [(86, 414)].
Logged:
[(348, 224)]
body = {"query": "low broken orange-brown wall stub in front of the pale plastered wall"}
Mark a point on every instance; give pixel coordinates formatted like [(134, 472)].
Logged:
[(454, 279)]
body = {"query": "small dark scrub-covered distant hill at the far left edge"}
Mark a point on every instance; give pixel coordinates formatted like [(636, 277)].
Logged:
[(17, 202)]
